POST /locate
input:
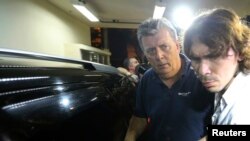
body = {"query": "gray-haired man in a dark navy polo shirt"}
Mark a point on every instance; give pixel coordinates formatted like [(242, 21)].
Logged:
[(171, 103)]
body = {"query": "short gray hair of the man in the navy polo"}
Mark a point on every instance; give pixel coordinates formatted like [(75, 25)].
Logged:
[(152, 26)]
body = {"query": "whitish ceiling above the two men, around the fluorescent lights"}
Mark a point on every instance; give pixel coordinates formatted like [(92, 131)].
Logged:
[(129, 13)]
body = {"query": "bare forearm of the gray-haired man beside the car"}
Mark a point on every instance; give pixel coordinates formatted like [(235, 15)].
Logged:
[(136, 127)]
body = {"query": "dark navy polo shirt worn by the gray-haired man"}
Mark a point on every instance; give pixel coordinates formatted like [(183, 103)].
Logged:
[(179, 113)]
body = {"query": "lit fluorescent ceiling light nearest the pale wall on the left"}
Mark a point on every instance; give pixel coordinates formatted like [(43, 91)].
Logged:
[(86, 13)]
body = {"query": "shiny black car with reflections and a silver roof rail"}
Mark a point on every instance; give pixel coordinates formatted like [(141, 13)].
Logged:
[(48, 98)]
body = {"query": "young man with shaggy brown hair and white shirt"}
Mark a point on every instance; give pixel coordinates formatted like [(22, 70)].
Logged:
[(218, 45)]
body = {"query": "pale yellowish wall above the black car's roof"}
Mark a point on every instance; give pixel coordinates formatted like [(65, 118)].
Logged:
[(39, 26)]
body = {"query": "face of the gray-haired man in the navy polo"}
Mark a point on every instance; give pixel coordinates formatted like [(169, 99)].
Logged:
[(162, 52)]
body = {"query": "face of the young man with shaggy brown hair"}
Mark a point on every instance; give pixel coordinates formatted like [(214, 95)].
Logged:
[(214, 72)]
